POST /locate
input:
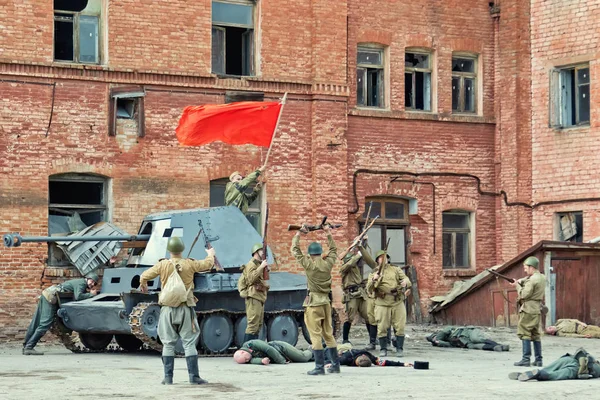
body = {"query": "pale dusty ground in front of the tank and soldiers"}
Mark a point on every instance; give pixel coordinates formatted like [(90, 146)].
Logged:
[(453, 374)]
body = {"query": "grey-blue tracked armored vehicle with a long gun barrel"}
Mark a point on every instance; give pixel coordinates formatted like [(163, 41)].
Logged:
[(121, 312)]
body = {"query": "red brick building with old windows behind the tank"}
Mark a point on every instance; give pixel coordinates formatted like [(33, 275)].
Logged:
[(428, 109)]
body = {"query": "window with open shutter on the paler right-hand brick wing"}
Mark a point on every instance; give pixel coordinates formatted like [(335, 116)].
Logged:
[(570, 96)]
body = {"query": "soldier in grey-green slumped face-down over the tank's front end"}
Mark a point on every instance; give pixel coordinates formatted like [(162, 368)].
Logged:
[(48, 304)]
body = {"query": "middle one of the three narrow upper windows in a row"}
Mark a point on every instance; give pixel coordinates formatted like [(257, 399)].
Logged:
[(417, 81)]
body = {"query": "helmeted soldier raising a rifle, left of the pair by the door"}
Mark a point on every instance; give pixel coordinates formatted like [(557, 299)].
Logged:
[(355, 296)]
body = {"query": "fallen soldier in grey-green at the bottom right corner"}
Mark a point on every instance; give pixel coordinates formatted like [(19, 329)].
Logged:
[(581, 365)]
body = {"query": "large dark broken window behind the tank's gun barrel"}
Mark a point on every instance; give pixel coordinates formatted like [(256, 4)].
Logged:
[(75, 202)]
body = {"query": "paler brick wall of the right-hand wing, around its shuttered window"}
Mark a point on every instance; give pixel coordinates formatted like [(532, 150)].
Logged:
[(565, 162)]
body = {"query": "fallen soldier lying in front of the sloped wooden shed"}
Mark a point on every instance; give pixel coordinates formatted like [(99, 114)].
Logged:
[(468, 337)]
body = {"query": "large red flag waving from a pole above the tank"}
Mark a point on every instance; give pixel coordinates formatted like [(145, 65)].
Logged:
[(247, 122)]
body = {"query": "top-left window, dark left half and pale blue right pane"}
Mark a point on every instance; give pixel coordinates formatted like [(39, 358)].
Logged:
[(76, 31)]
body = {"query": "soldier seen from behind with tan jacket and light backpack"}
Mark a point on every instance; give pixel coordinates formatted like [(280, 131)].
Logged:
[(178, 321)]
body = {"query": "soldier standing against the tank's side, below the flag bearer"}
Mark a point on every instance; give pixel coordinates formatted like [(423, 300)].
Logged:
[(256, 289)]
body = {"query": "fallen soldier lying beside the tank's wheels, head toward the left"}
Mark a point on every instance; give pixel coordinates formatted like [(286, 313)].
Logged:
[(263, 353)]
